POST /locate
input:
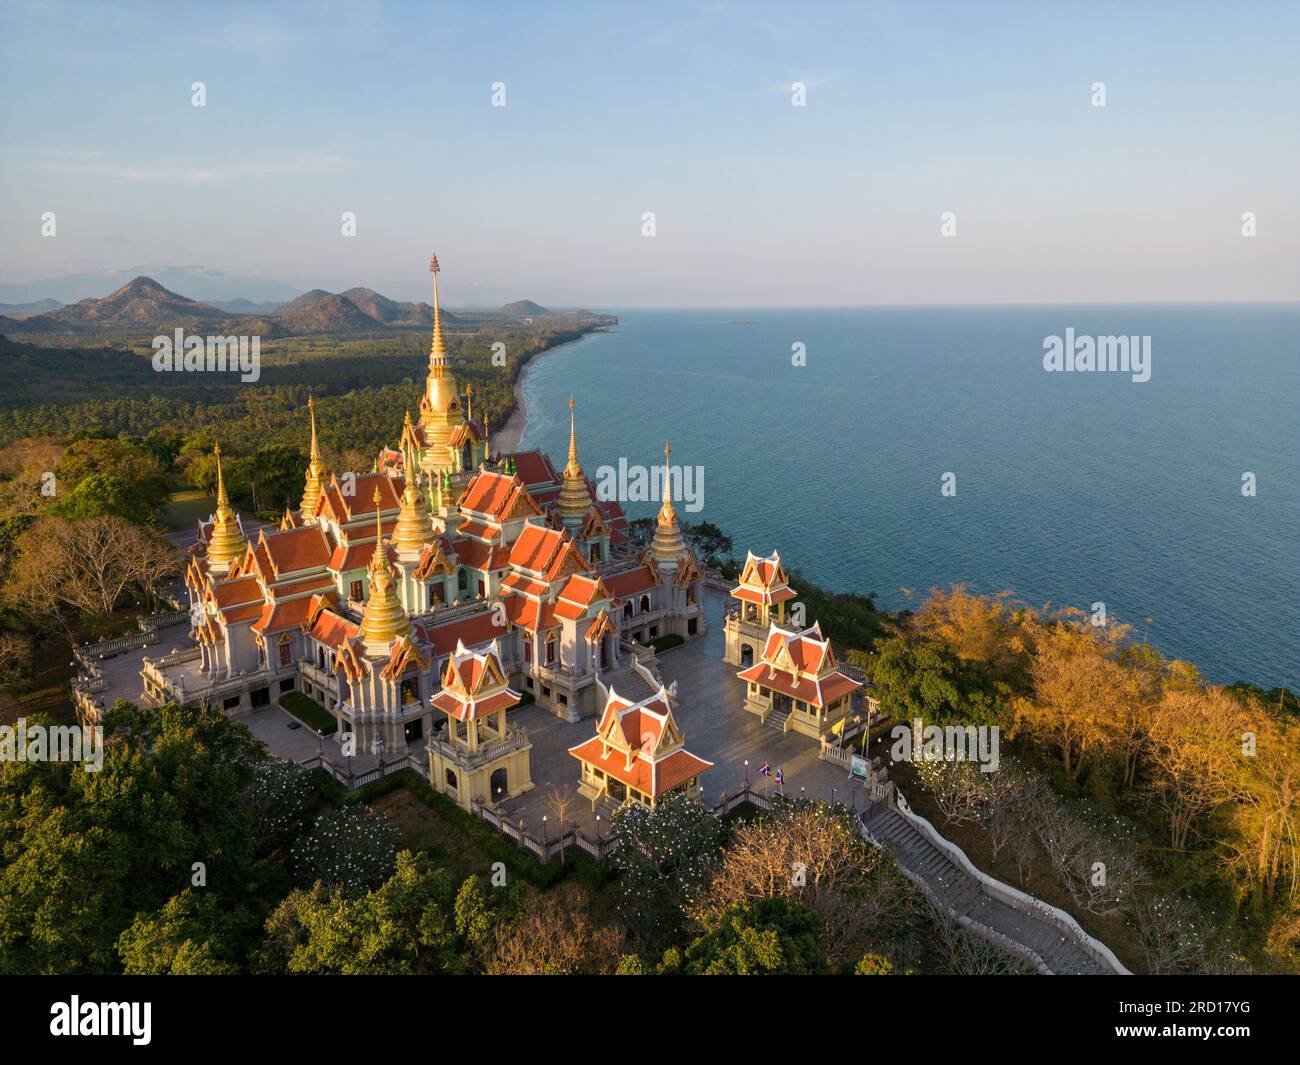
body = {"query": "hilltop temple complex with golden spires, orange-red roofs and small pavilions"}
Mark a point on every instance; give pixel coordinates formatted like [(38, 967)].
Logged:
[(422, 603)]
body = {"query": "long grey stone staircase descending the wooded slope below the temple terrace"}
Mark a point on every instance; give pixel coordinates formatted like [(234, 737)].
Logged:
[(967, 898)]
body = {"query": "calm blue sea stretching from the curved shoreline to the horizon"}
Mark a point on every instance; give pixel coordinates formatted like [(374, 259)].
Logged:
[(891, 451)]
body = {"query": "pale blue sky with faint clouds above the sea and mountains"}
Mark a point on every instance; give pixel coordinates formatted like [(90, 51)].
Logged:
[(682, 110)]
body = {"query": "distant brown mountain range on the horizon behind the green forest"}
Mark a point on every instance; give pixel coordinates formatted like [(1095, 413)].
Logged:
[(145, 305)]
